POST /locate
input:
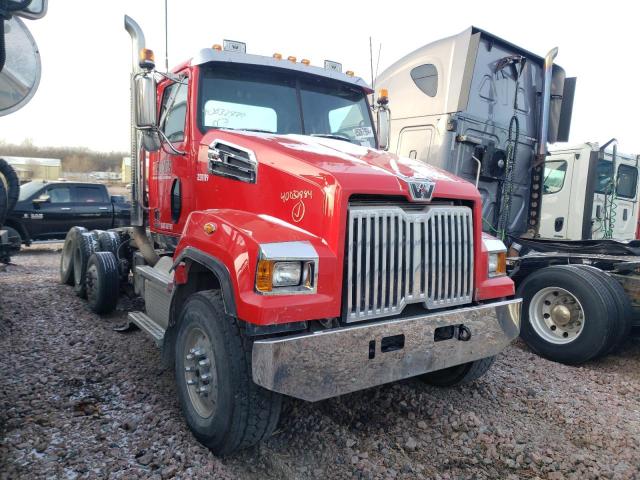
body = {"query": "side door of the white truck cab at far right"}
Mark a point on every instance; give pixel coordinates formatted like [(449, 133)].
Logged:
[(556, 197)]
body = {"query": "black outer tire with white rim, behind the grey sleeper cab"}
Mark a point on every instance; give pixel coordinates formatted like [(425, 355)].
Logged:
[(568, 316)]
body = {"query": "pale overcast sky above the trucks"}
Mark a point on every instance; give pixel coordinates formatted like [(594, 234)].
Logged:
[(86, 53)]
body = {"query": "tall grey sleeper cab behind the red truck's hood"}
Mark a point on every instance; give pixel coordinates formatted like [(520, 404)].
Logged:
[(484, 109)]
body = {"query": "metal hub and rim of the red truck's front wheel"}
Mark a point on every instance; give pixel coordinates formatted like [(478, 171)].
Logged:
[(200, 373)]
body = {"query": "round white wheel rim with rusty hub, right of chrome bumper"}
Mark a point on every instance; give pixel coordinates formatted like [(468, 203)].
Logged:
[(556, 315)]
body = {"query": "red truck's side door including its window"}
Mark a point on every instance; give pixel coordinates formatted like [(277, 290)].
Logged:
[(172, 171)]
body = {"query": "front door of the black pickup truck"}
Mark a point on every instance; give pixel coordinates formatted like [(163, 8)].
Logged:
[(52, 213)]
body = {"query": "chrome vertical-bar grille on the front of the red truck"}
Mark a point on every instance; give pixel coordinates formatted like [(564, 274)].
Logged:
[(397, 257)]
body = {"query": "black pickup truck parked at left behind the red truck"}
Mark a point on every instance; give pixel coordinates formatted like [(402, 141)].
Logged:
[(47, 210)]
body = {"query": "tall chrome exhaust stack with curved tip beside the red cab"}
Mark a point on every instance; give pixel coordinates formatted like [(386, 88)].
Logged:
[(140, 236)]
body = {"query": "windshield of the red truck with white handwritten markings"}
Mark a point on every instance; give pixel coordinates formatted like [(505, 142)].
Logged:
[(248, 97)]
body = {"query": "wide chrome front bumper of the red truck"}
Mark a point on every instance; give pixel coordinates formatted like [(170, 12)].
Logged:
[(325, 364)]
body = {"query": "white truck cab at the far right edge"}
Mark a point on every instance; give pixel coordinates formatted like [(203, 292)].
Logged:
[(589, 193)]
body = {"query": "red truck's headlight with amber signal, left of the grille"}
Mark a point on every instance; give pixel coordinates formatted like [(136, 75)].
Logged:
[(286, 268)]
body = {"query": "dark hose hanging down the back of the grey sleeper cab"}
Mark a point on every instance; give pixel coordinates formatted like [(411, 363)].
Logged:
[(506, 197)]
